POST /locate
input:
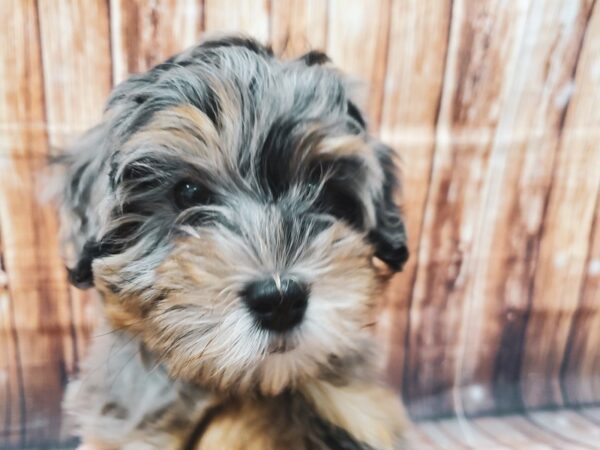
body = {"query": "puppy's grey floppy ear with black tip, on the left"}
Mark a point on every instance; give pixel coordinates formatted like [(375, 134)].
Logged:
[(81, 178)]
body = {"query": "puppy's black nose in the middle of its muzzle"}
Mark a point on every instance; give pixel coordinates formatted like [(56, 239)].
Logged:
[(277, 307)]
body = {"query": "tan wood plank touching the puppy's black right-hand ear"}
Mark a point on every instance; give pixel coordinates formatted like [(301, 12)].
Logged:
[(416, 62)]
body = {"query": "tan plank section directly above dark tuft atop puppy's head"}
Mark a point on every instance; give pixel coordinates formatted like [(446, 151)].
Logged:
[(298, 26)]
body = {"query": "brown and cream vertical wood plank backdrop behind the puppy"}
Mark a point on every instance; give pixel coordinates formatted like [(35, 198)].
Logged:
[(494, 106)]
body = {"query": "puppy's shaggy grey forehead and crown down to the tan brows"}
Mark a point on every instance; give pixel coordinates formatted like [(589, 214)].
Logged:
[(236, 110)]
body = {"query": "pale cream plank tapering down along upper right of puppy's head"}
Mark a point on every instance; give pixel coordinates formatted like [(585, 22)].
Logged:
[(357, 41)]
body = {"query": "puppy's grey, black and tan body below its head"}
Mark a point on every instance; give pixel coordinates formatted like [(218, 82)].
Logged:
[(124, 401)]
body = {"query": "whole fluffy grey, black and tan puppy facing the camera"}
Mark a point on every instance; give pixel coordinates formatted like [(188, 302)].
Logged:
[(232, 211)]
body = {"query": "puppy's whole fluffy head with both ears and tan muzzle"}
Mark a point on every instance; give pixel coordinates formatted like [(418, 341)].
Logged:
[(229, 208)]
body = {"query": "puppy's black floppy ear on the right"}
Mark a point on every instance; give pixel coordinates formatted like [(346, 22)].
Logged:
[(389, 235)]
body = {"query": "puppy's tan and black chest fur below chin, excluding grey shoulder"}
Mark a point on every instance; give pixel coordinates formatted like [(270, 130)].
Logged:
[(322, 416)]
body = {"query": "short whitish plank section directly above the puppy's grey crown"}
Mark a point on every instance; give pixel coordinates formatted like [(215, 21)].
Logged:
[(238, 16)]
